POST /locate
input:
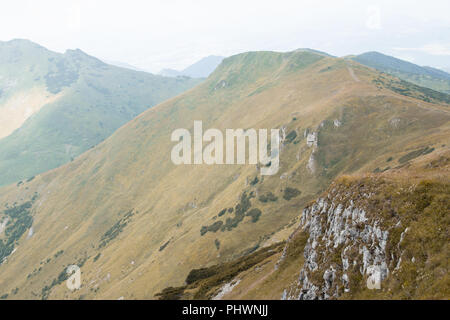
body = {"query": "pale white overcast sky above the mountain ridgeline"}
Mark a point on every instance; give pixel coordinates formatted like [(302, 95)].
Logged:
[(157, 34)]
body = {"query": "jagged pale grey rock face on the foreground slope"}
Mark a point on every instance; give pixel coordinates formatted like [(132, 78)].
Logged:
[(343, 241)]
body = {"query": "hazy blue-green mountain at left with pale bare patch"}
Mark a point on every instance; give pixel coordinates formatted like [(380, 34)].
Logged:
[(53, 106)]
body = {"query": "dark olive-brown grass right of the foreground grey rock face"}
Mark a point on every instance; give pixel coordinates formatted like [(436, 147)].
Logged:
[(424, 210)]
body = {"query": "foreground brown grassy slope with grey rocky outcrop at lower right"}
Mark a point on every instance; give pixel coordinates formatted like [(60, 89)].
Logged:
[(408, 204)]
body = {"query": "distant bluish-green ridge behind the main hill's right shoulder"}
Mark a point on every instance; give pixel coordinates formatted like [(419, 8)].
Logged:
[(423, 76)]
